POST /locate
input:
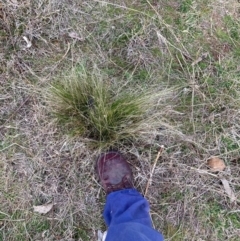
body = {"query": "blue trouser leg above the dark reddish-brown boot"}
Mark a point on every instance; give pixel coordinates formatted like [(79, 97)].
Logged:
[(127, 216)]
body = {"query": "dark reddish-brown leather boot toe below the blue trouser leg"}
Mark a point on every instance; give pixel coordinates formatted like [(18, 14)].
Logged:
[(114, 172)]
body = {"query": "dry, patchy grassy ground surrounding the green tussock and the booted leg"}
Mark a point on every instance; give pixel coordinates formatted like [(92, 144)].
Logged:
[(190, 46)]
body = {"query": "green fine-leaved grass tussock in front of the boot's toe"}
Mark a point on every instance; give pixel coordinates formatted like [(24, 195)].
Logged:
[(93, 108)]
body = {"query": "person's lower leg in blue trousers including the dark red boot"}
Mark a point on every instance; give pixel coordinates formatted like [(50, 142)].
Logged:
[(126, 211)]
